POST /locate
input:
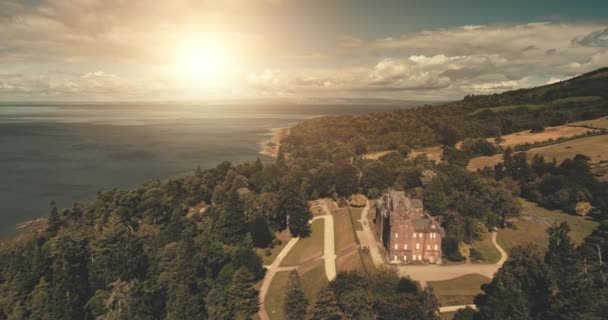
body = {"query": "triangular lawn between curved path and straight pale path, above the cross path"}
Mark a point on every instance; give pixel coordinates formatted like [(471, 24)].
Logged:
[(307, 248)]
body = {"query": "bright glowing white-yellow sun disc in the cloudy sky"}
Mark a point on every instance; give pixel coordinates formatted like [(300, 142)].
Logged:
[(204, 61)]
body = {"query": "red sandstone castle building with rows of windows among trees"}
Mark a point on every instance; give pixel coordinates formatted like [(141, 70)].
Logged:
[(408, 233)]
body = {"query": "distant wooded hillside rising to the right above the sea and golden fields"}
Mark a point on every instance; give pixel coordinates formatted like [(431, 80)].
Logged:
[(581, 98)]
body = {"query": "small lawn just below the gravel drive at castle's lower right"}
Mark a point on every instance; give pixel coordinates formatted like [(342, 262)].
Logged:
[(458, 291)]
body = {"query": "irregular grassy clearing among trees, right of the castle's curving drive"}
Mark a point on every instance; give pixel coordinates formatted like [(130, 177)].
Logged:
[(530, 230)]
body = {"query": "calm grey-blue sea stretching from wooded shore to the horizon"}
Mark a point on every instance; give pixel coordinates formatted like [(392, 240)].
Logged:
[(69, 152)]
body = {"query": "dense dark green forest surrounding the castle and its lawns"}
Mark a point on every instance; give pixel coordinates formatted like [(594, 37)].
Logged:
[(184, 248)]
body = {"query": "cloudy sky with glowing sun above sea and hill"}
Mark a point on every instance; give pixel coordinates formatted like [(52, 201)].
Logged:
[(300, 50)]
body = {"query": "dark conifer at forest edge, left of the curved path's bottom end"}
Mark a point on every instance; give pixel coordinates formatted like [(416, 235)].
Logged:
[(244, 296)]
